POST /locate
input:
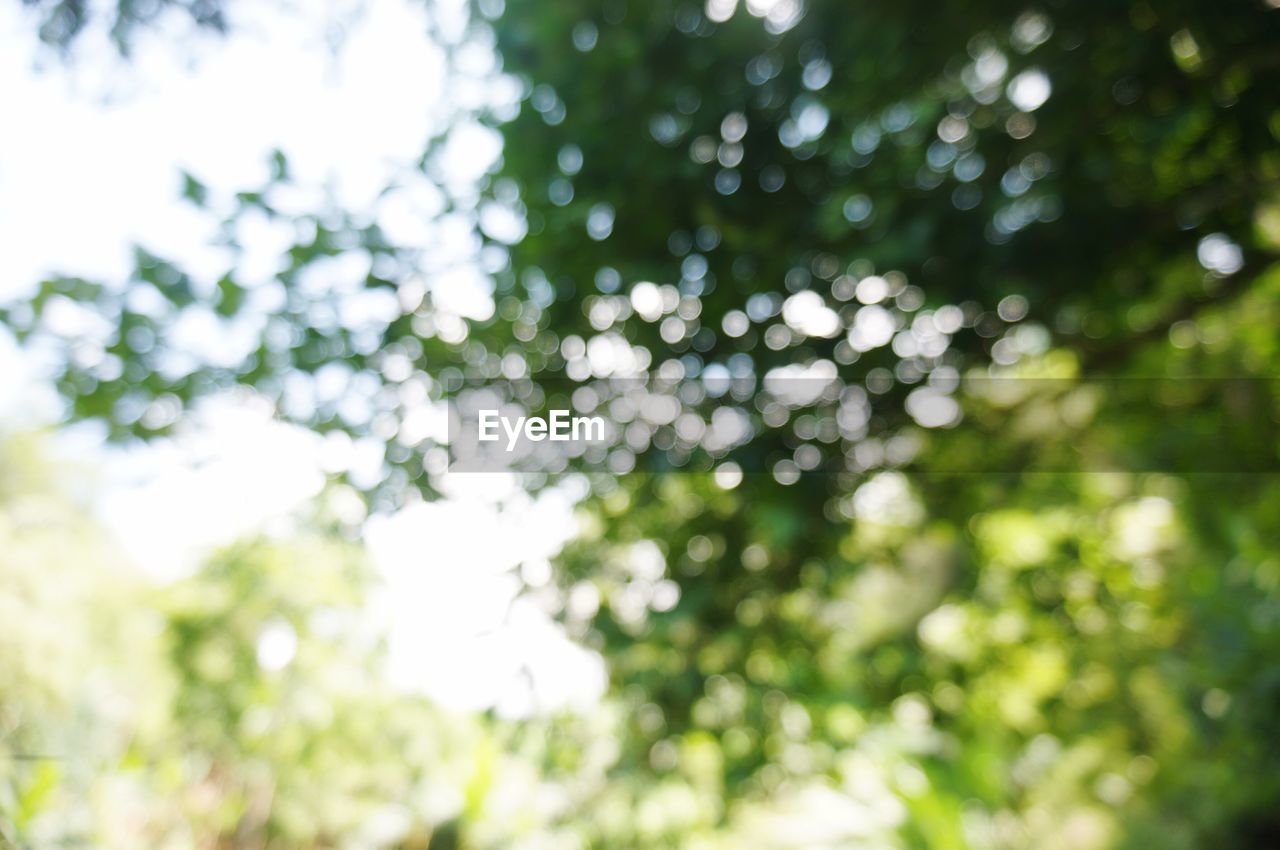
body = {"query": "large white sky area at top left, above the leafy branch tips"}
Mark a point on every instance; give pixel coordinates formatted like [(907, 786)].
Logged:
[(81, 177)]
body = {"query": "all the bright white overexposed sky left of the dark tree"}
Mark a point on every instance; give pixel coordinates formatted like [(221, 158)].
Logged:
[(90, 163)]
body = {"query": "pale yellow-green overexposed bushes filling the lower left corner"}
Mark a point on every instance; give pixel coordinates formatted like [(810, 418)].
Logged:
[(241, 707)]
